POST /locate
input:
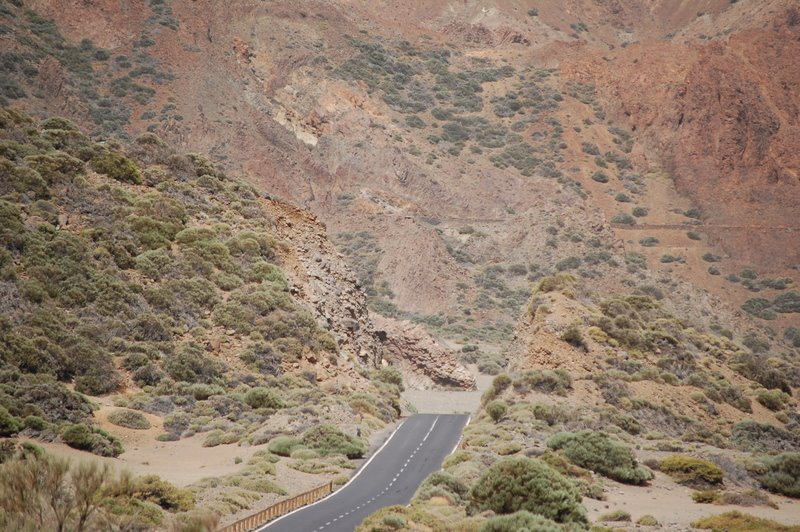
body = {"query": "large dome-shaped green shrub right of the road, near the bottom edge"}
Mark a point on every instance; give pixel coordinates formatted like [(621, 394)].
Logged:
[(514, 484)]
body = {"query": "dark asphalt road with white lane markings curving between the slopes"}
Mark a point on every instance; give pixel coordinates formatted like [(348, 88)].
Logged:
[(390, 477)]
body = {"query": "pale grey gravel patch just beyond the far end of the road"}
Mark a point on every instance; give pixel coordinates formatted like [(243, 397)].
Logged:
[(446, 401)]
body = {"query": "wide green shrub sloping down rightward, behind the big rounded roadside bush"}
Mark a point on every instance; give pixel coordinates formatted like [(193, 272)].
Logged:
[(602, 454)]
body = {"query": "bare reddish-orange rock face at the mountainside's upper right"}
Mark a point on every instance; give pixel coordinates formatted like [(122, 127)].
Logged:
[(724, 117)]
